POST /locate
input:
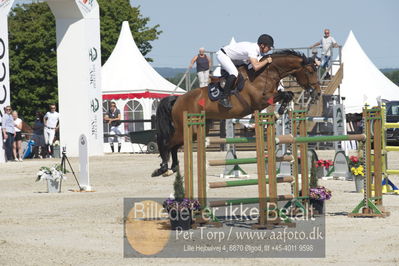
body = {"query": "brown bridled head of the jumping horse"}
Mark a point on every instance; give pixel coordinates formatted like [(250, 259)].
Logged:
[(307, 78)]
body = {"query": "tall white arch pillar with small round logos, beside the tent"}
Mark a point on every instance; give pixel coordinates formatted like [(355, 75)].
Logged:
[(79, 66)]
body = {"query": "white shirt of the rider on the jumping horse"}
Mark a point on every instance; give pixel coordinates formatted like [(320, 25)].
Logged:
[(242, 50)]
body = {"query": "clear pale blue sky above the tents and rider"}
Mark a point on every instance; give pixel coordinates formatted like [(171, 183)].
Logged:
[(188, 25)]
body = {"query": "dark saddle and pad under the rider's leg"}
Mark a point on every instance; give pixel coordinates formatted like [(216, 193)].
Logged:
[(215, 87)]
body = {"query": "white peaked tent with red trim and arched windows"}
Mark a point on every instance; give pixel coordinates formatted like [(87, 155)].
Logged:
[(130, 81)]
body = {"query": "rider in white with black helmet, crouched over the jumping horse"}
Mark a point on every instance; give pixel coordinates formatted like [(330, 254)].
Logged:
[(242, 51)]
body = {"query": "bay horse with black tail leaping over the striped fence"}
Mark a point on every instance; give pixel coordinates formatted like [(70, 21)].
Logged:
[(260, 91)]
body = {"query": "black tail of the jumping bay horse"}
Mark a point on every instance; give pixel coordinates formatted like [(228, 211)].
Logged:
[(163, 123)]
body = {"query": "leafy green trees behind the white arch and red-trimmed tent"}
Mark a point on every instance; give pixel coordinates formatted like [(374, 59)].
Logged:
[(32, 49)]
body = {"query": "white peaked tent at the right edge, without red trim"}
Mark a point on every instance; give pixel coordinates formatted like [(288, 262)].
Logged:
[(363, 82)]
